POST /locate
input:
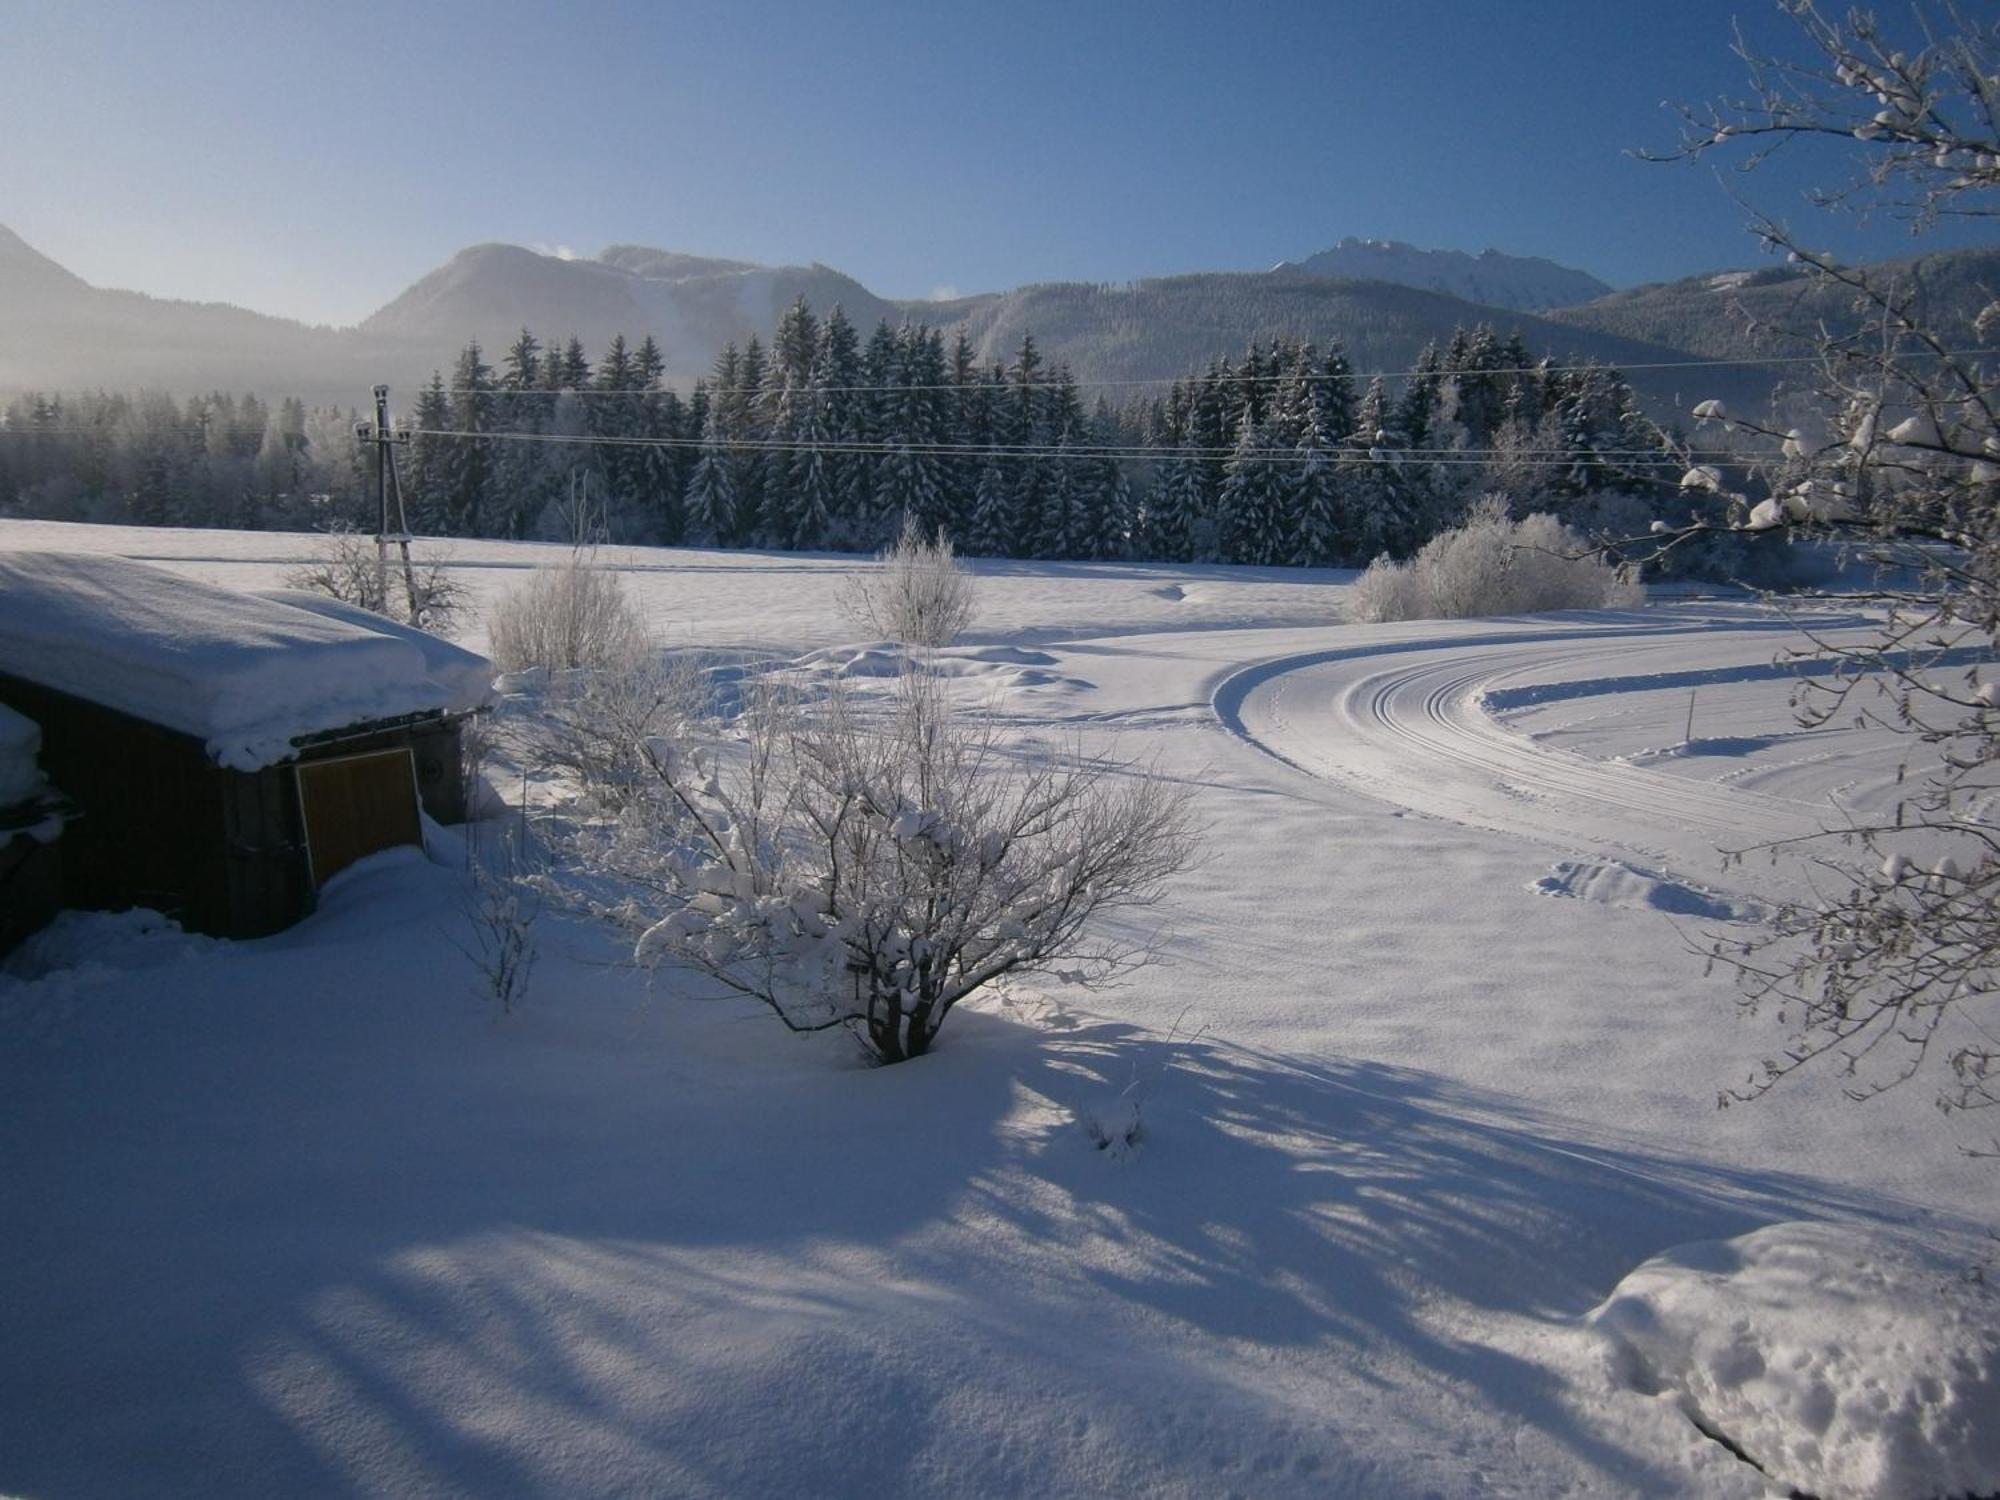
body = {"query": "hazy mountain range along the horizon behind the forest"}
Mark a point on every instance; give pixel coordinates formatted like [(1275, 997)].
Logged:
[(59, 333)]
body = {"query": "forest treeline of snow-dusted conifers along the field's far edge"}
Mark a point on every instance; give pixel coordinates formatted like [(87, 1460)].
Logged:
[(825, 441)]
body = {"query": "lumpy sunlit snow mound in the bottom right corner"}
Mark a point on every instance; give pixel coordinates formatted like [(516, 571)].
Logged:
[(1849, 1363)]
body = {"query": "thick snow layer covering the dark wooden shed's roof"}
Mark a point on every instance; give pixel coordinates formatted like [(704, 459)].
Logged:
[(241, 673)]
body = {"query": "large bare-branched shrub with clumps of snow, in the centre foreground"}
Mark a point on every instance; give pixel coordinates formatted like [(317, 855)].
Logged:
[(873, 869)]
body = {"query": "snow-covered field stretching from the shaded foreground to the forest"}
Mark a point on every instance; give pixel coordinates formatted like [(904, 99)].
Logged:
[(1427, 1077)]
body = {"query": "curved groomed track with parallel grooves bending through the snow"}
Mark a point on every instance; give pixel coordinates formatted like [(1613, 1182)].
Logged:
[(1403, 721)]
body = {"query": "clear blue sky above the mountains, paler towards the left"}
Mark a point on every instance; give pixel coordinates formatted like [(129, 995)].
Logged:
[(313, 161)]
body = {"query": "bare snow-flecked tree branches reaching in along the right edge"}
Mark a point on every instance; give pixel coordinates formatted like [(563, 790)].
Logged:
[(1895, 969)]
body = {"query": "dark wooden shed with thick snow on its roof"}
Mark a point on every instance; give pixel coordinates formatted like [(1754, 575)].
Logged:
[(227, 753)]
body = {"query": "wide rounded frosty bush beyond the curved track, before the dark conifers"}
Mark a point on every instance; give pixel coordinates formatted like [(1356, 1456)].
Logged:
[(1493, 565)]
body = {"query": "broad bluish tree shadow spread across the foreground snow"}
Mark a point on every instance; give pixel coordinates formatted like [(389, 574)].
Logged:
[(529, 1269)]
